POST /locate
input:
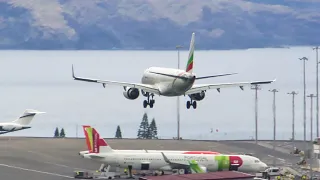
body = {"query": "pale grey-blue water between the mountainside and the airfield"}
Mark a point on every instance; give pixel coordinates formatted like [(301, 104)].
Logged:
[(43, 80)]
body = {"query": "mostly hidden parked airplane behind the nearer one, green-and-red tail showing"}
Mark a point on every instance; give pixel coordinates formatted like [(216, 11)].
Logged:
[(90, 132)]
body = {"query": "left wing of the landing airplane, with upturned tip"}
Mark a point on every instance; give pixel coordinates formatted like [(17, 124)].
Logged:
[(146, 88)]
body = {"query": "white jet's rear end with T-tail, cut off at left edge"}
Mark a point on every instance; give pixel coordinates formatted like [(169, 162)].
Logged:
[(20, 123)]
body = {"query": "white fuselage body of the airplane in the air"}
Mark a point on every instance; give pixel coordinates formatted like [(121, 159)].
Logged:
[(168, 86)]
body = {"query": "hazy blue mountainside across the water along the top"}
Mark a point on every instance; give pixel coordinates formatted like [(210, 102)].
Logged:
[(157, 24)]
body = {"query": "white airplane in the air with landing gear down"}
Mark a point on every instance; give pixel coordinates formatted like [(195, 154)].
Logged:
[(171, 82)]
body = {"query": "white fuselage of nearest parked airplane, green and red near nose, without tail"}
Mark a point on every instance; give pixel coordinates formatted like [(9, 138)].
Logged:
[(157, 162)]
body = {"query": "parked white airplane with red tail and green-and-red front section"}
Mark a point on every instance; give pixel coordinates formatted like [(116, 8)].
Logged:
[(197, 163)]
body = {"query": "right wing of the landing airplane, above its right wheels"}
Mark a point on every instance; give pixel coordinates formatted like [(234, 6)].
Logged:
[(203, 87)]
